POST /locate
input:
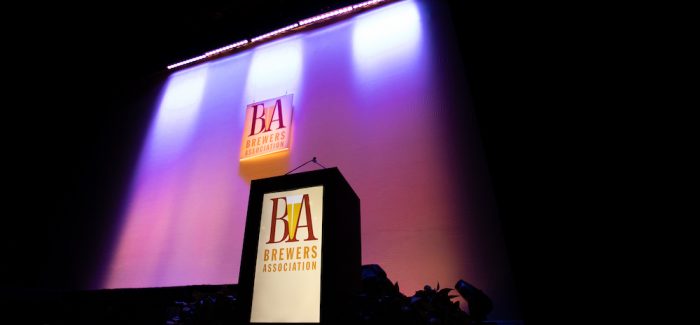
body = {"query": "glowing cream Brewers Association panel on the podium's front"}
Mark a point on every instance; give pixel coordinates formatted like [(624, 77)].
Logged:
[(287, 285)]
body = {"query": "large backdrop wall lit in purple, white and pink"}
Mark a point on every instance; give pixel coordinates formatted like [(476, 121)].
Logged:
[(370, 97)]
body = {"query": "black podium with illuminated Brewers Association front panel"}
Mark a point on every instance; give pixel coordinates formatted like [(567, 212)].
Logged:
[(301, 257)]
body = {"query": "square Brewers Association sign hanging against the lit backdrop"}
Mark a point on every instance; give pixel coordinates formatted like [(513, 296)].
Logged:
[(267, 127)]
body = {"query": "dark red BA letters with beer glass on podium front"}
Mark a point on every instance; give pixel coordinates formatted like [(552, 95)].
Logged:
[(294, 207)]
